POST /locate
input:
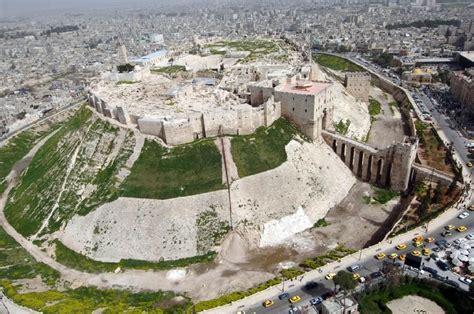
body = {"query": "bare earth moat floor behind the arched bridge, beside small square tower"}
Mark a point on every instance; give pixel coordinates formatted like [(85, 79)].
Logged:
[(388, 128)]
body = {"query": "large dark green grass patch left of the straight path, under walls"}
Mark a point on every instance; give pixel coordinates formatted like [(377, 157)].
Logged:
[(183, 170)]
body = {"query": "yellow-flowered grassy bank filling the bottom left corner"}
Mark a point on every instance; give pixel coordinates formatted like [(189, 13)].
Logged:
[(16, 263)]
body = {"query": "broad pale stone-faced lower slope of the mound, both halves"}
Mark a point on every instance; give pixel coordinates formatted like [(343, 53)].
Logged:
[(267, 208)]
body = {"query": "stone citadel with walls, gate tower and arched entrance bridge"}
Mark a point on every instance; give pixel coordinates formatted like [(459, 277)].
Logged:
[(197, 104)]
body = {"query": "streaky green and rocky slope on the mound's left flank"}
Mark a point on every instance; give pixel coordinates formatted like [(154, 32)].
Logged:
[(33, 199)]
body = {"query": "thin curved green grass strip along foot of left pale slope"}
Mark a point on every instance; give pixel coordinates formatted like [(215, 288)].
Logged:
[(72, 259)]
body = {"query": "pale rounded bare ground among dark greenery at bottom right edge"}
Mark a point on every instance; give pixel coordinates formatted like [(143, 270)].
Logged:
[(414, 304)]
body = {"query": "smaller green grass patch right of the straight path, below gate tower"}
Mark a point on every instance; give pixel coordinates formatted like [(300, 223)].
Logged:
[(263, 150)]
